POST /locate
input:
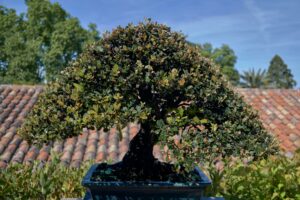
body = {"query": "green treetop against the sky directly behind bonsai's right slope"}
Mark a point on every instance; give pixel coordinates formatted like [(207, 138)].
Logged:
[(225, 58)]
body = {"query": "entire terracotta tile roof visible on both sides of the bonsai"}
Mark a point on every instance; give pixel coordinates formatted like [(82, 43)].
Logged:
[(279, 111)]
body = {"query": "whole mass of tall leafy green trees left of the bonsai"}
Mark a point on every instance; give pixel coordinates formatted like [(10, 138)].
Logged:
[(37, 45)]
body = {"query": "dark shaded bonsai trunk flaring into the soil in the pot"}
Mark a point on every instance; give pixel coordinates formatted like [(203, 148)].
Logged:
[(138, 163)]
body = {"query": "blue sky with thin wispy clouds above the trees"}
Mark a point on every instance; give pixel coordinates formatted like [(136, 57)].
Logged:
[(256, 30)]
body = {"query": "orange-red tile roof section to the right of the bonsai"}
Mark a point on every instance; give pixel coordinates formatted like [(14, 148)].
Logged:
[(279, 110)]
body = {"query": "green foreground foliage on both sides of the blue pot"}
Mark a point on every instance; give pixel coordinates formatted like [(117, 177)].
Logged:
[(274, 178)]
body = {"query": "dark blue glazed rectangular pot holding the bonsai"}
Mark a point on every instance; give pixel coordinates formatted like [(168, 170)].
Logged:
[(116, 190)]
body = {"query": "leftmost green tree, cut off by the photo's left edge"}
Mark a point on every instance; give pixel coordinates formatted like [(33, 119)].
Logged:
[(17, 55)]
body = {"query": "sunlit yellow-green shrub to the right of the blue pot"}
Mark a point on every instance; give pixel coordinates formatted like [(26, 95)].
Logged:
[(274, 178)]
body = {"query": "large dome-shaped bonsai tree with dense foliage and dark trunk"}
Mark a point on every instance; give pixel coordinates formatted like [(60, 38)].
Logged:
[(150, 75)]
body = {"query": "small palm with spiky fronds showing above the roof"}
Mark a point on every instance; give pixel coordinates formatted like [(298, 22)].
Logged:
[(254, 79)]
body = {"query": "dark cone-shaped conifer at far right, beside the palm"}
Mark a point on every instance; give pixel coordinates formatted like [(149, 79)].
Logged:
[(279, 75)]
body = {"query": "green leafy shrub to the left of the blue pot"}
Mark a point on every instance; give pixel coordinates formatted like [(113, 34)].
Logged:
[(49, 181)]
